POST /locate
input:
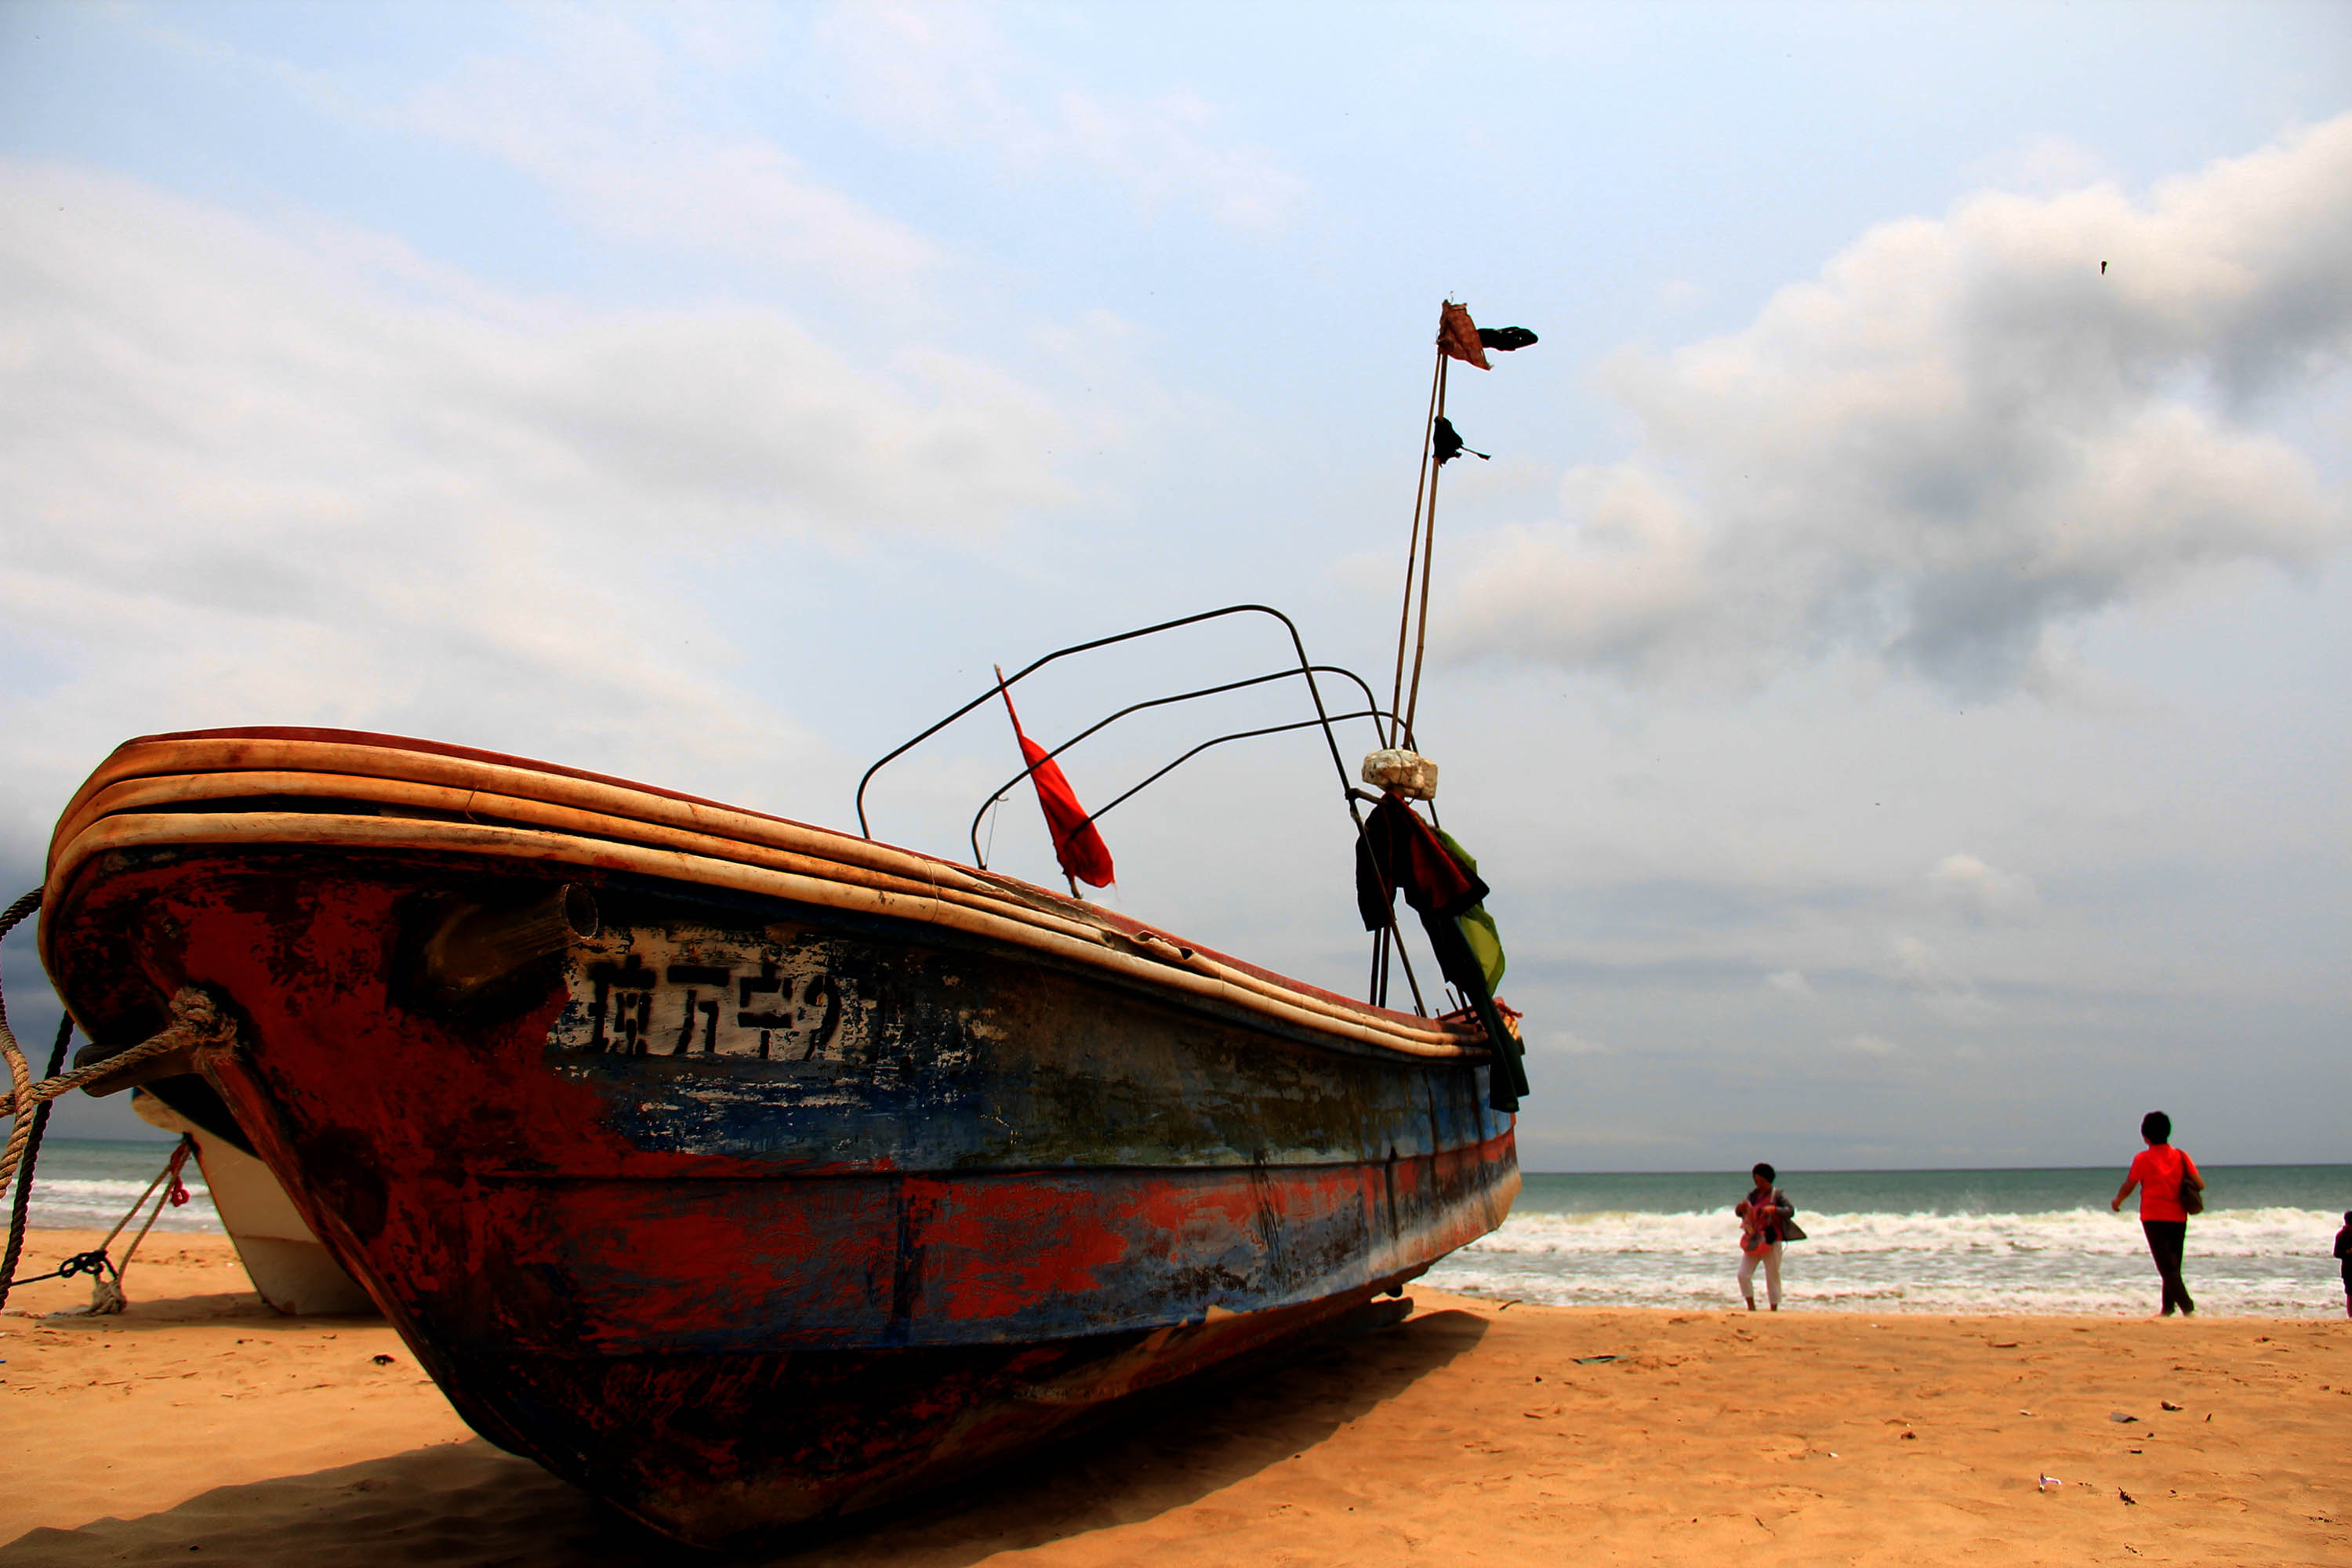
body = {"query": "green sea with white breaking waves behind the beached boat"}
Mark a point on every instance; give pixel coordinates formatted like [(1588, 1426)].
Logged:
[(1878, 1240)]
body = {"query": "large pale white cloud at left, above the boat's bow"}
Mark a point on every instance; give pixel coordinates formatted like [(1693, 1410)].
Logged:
[(269, 481)]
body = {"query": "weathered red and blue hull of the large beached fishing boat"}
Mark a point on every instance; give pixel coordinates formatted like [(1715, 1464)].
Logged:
[(735, 1170)]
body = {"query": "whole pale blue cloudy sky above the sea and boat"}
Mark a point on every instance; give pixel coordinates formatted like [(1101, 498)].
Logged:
[(1892, 669)]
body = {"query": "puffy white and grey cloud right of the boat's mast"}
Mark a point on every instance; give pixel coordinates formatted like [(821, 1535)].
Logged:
[(1958, 438)]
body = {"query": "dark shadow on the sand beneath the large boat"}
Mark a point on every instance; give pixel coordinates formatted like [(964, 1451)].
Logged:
[(467, 1506)]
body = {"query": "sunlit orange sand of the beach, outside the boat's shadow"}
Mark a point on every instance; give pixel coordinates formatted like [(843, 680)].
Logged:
[(203, 1428)]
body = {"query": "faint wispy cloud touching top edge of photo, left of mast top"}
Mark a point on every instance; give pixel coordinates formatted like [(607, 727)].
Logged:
[(944, 76)]
